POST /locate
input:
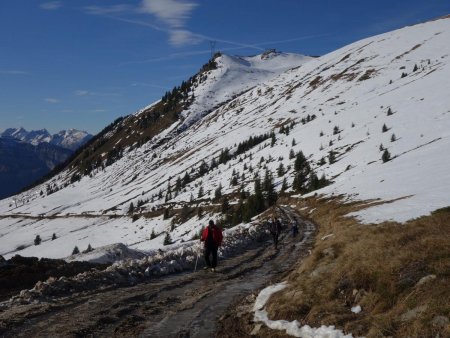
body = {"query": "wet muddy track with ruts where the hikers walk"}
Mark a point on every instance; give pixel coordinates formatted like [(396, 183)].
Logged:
[(189, 304)]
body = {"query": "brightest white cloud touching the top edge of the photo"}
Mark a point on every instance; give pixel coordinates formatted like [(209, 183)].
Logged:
[(172, 12)]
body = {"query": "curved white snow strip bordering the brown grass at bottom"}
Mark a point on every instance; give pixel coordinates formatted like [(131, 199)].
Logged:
[(292, 328)]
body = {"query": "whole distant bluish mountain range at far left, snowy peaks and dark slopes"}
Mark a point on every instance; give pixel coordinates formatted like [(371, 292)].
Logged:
[(26, 156)]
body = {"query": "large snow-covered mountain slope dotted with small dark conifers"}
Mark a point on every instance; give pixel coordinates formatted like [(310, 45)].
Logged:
[(373, 117)]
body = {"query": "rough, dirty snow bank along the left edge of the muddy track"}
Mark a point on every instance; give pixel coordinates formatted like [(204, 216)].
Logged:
[(174, 258)]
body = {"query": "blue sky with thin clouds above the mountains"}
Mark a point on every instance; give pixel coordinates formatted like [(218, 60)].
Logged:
[(83, 63)]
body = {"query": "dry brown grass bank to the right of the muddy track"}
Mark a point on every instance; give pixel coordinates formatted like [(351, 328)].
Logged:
[(375, 266)]
